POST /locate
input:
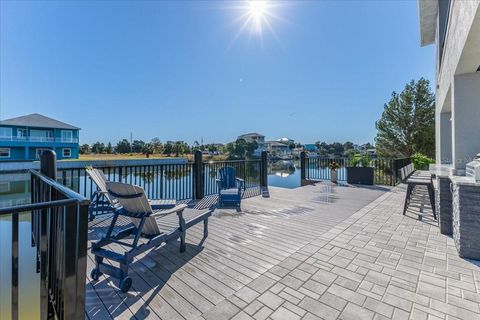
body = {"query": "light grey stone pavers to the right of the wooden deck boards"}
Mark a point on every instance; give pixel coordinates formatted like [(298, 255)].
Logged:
[(373, 263)]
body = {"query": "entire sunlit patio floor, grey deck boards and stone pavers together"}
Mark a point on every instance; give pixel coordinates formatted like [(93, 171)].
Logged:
[(316, 252)]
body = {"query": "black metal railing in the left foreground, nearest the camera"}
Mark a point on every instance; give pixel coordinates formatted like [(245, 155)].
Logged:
[(59, 219)]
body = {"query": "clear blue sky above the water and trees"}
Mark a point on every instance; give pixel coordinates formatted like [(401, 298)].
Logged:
[(187, 70)]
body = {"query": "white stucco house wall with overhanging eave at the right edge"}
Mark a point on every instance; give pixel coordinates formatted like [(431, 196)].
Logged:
[(454, 28)]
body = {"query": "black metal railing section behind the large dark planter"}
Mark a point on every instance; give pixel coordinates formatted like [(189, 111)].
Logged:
[(385, 170)]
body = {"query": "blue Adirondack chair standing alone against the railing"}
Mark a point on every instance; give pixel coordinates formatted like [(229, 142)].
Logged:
[(229, 187)]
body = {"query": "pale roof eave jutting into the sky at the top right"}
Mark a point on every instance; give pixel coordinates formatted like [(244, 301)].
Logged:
[(427, 12)]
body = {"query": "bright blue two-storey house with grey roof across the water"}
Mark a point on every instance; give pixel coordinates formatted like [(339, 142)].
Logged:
[(26, 137)]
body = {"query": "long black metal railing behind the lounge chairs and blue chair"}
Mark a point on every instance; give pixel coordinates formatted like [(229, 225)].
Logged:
[(181, 181)]
